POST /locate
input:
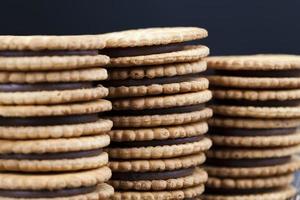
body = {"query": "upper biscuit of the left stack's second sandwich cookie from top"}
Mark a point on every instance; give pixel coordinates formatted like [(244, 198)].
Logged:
[(93, 74)]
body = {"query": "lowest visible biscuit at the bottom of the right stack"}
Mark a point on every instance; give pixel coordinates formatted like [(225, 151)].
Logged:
[(276, 194)]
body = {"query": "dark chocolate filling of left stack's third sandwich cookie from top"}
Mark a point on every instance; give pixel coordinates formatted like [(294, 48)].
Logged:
[(48, 121)]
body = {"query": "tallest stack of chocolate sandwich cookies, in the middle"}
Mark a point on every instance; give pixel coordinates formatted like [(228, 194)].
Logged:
[(159, 114)]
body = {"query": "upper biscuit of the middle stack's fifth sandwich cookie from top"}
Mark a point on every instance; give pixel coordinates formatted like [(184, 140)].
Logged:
[(153, 165)]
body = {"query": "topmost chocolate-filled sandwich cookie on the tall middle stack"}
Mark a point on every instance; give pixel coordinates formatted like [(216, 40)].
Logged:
[(154, 46)]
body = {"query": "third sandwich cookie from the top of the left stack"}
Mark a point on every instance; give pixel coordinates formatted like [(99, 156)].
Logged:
[(53, 121)]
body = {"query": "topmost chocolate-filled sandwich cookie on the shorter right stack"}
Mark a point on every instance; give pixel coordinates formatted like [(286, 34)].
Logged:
[(256, 71)]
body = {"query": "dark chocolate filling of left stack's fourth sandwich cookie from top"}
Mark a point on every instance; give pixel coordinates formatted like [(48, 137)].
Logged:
[(52, 156)]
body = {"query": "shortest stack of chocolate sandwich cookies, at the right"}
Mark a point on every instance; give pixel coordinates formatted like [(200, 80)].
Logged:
[(255, 129)]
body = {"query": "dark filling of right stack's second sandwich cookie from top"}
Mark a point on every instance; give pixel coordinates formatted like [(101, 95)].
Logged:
[(268, 103)]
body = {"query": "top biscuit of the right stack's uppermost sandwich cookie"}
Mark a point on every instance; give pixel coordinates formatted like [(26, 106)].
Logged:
[(255, 62)]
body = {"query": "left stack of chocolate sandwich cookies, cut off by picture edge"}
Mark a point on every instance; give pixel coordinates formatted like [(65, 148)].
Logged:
[(51, 136)]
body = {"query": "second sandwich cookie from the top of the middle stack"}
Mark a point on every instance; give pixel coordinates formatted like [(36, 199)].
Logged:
[(162, 80)]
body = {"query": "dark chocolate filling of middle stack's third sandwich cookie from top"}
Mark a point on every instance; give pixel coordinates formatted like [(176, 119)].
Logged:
[(162, 111)]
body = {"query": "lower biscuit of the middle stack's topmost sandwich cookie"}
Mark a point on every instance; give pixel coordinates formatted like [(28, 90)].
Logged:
[(189, 54)]
